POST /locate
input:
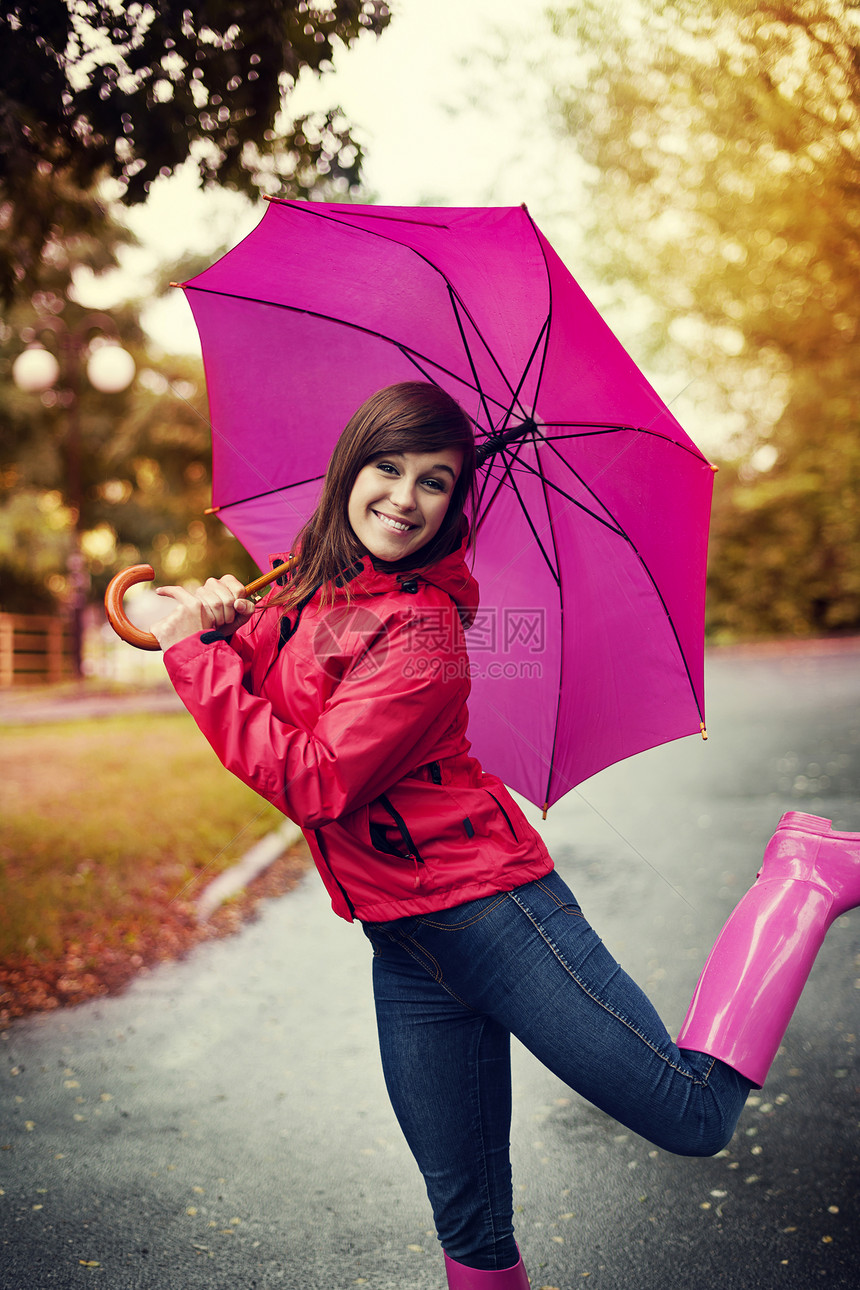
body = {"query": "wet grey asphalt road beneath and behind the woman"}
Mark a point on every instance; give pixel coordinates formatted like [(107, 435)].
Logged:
[(224, 1124)]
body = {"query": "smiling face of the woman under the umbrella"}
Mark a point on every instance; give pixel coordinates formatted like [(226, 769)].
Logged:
[(399, 501)]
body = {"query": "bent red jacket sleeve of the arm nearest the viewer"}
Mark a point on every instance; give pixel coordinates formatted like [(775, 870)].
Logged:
[(384, 720)]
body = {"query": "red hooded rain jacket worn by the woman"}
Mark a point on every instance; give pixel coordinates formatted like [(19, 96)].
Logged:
[(351, 719)]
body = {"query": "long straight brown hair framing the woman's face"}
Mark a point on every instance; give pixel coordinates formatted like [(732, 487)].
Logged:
[(413, 416)]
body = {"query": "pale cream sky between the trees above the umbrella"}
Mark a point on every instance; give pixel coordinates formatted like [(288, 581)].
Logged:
[(408, 96)]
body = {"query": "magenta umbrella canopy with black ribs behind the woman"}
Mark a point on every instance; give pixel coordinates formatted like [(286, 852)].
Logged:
[(594, 517)]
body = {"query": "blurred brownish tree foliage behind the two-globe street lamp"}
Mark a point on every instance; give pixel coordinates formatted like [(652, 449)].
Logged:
[(144, 457)]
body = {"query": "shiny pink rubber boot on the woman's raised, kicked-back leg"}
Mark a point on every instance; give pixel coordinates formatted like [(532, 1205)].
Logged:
[(759, 966)]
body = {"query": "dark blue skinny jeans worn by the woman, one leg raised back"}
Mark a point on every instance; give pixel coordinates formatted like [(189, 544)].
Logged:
[(451, 990)]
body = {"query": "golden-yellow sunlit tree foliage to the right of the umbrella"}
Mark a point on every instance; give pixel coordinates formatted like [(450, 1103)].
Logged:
[(725, 144)]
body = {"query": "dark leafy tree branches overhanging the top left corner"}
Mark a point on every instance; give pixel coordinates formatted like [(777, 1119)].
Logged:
[(96, 92)]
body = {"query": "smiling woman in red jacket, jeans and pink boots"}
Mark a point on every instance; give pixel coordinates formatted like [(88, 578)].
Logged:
[(342, 700)]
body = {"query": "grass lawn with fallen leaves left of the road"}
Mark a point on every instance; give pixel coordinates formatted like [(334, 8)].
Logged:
[(112, 828)]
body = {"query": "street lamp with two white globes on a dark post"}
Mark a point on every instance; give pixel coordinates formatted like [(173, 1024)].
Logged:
[(110, 370)]
